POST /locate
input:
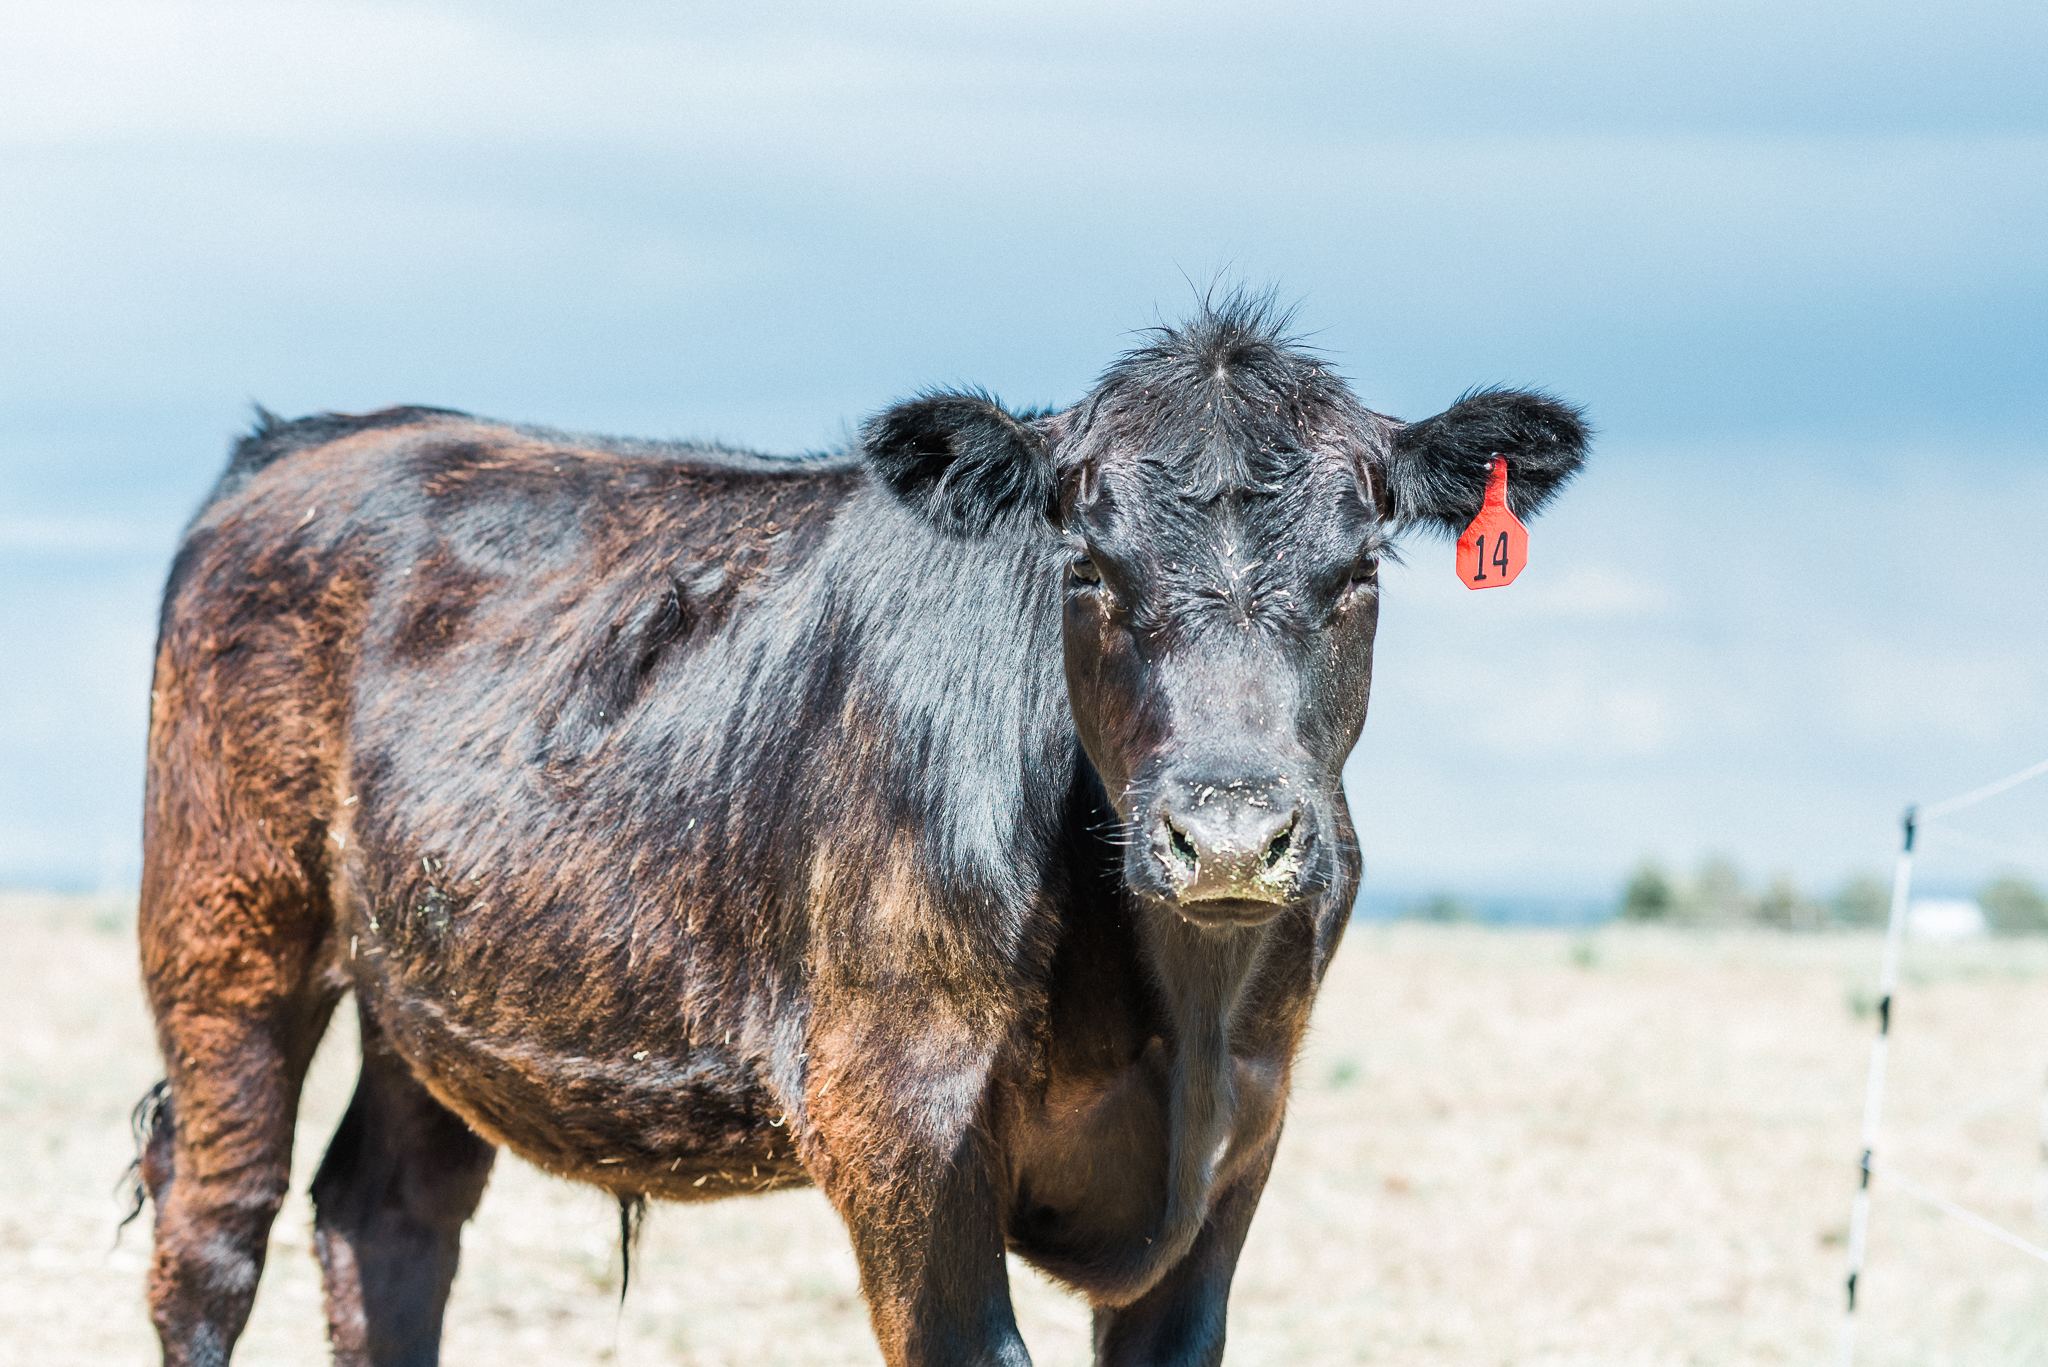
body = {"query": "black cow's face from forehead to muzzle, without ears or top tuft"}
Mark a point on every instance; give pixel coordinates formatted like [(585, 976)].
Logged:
[(1220, 653)]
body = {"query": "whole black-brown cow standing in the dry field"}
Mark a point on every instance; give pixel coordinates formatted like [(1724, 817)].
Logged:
[(951, 823)]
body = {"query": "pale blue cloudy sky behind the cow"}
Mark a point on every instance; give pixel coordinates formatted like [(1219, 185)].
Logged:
[(1791, 259)]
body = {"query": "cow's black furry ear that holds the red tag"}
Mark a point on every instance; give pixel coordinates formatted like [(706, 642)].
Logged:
[(1437, 470)]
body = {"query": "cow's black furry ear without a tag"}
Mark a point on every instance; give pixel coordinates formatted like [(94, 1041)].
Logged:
[(962, 460)]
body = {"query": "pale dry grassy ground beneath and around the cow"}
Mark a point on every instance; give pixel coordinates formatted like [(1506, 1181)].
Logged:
[(1506, 1147)]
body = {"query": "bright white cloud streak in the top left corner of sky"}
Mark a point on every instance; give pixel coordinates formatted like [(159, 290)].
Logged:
[(280, 75)]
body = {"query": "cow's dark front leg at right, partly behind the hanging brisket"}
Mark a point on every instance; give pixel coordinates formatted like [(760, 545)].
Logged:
[(1181, 1321)]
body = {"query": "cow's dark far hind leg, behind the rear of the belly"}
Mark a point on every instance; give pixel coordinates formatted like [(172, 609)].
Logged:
[(390, 1204)]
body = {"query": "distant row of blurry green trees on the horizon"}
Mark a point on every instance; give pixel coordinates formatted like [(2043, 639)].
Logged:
[(1717, 897)]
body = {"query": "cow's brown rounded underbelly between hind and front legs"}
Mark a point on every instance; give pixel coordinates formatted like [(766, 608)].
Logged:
[(656, 1116)]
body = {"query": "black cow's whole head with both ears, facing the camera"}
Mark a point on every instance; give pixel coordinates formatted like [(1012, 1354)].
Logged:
[(1226, 503)]
